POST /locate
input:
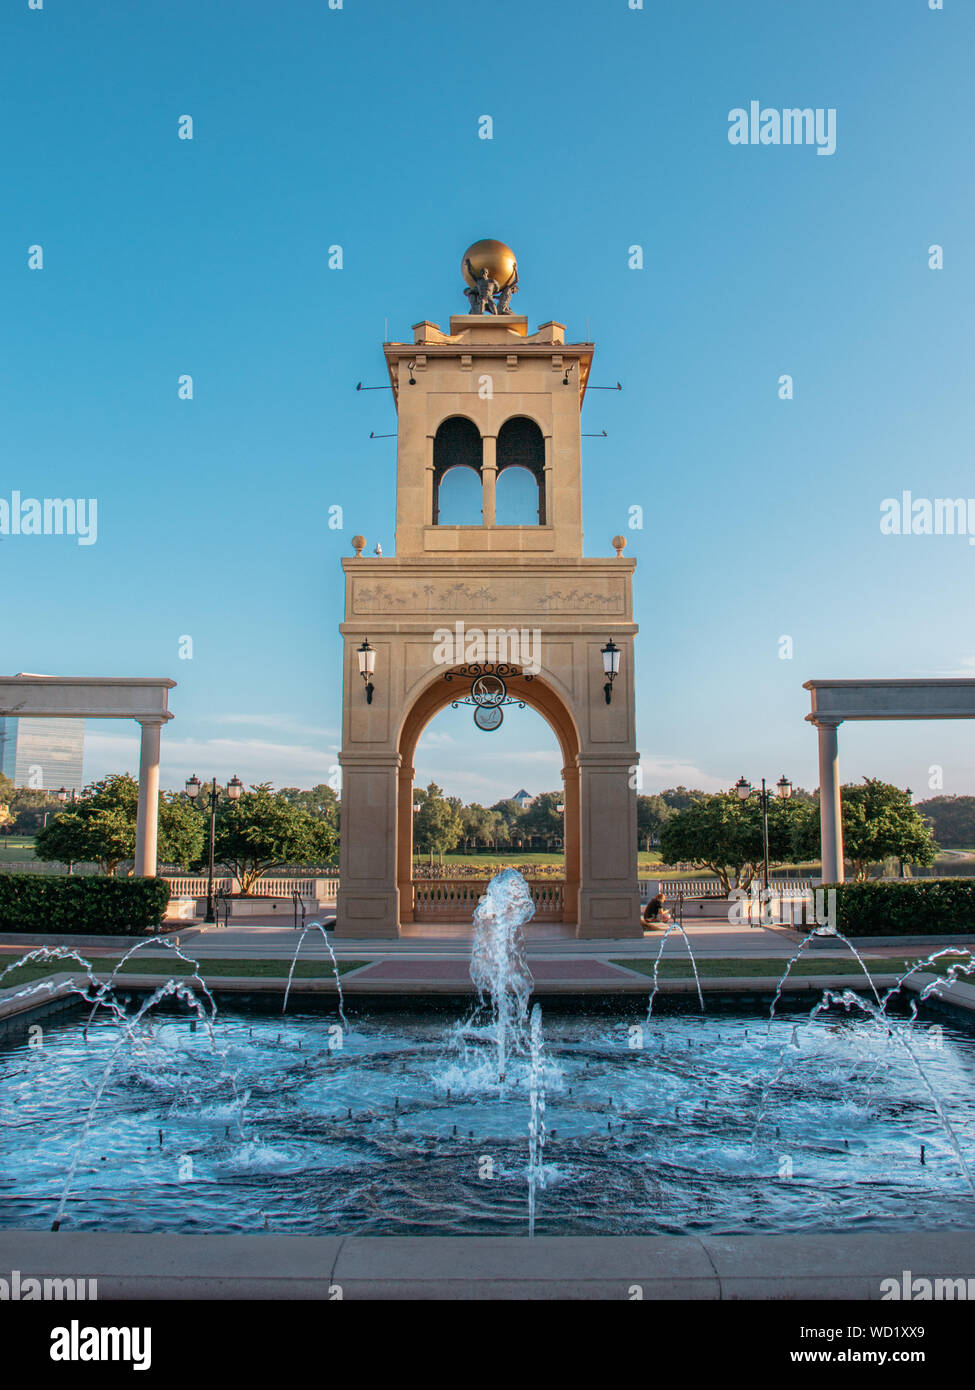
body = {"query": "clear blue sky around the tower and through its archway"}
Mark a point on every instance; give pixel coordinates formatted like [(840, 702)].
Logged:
[(360, 127)]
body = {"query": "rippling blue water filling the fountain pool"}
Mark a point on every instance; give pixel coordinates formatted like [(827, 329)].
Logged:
[(405, 1131)]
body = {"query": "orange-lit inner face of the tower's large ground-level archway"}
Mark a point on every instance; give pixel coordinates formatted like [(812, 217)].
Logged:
[(539, 697)]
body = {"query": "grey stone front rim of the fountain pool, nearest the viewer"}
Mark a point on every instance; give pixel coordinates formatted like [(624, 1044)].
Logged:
[(834, 1267)]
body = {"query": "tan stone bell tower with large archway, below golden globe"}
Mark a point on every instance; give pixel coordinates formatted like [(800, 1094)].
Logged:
[(489, 397)]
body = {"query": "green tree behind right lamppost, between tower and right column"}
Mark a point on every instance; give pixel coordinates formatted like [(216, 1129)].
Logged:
[(725, 836)]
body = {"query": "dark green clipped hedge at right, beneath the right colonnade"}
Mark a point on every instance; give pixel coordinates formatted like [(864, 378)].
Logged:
[(892, 908)]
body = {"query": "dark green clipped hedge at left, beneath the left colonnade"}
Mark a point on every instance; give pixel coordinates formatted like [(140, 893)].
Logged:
[(87, 907)]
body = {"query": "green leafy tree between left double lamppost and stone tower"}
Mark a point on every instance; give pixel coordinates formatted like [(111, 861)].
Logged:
[(262, 832)]
